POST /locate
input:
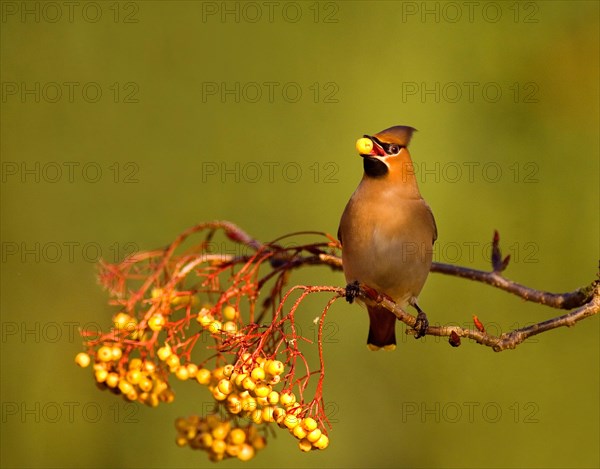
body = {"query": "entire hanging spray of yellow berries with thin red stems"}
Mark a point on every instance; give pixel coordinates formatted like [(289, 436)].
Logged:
[(247, 363)]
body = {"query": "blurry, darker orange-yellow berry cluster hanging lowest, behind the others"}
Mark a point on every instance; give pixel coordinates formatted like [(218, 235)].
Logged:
[(219, 437)]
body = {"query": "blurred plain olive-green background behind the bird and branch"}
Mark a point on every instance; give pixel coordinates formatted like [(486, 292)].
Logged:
[(184, 90)]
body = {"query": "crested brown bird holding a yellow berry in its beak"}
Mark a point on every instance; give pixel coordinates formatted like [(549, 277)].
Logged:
[(387, 232)]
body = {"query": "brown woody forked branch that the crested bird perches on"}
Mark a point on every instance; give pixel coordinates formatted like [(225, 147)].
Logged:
[(282, 260)]
